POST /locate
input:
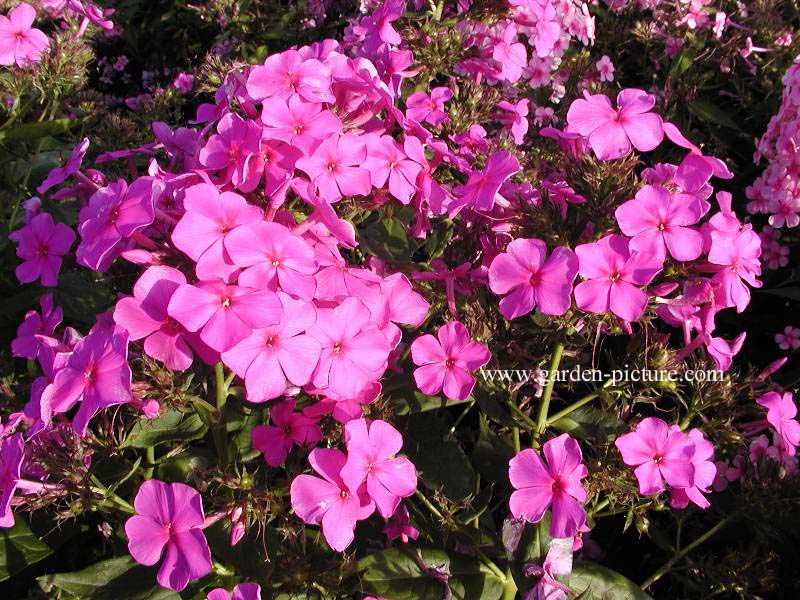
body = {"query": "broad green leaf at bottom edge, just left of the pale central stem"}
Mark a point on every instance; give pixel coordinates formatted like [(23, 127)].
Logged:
[(397, 574)]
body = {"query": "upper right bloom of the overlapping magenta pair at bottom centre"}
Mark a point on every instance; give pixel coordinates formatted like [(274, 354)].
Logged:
[(371, 450)]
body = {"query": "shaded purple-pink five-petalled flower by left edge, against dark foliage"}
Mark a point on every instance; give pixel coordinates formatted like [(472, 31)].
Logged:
[(41, 244)]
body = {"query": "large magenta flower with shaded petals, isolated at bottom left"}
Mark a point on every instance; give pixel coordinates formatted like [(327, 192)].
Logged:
[(169, 522)]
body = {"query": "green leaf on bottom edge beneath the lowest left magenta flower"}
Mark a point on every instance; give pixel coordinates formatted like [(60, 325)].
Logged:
[(112, 579)]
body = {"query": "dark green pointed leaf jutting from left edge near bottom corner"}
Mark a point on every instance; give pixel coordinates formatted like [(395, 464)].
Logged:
[(20, 546)]
